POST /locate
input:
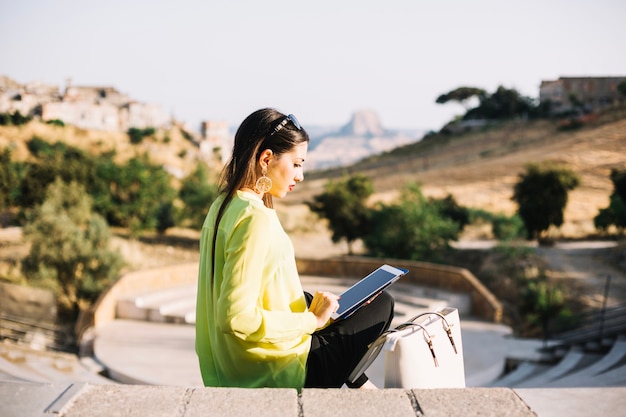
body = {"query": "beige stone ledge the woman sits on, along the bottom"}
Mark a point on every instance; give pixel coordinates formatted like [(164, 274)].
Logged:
[(85, 400)]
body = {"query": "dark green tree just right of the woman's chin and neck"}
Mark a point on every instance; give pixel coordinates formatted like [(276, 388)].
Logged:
[(343, 204)]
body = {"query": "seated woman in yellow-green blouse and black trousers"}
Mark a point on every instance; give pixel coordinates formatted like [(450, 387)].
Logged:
[(255, 327)]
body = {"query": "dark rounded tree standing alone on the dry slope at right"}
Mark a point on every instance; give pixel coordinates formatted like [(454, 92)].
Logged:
[(541, 194)]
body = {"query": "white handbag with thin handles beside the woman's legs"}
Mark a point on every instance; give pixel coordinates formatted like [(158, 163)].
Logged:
[(424, 352)]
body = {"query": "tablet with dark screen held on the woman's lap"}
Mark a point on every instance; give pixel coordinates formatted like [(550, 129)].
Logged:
[(364, 290)]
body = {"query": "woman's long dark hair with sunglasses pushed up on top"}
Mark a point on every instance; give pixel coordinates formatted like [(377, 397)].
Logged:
[(256, 133)]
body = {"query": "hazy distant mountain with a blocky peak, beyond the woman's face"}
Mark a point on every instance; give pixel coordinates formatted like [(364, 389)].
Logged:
[(361, 137)]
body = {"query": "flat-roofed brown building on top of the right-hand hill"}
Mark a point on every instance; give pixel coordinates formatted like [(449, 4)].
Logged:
[(593, 93)]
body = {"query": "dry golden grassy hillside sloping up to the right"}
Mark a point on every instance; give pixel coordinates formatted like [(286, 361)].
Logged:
[(480, 168)]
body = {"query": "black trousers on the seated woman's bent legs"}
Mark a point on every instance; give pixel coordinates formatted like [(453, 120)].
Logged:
[(338, 348)]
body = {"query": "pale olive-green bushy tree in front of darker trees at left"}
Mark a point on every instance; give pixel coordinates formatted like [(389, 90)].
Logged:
[(69, 246)]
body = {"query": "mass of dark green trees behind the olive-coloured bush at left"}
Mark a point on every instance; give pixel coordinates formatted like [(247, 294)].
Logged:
[(136, 195)]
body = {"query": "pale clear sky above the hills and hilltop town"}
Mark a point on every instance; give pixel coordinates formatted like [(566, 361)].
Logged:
[(321, 60)]
